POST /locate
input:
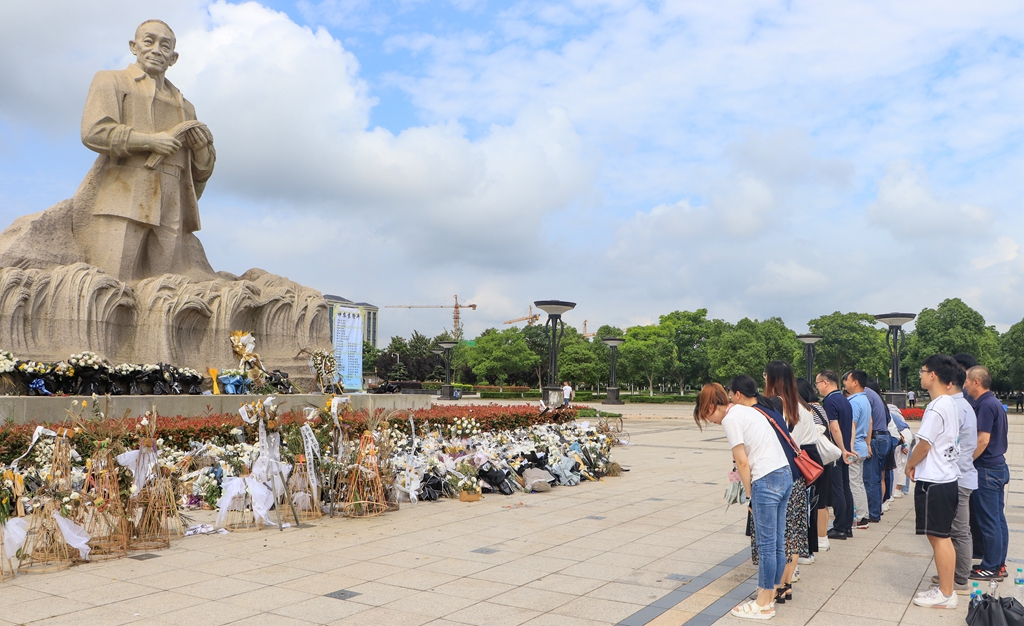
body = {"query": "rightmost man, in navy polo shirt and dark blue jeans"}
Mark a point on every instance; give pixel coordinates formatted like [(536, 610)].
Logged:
[(989, 502)]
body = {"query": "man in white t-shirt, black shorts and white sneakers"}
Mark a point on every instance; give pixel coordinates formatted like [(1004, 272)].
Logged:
[(934, 466)]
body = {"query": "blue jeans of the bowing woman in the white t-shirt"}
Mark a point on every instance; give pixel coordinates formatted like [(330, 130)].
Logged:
[(769, 502)]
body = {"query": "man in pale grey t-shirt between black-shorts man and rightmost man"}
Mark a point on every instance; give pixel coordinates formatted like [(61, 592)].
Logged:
[(968, 483)]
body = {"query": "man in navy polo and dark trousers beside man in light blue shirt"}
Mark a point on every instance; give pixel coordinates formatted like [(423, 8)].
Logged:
[(841, 426)]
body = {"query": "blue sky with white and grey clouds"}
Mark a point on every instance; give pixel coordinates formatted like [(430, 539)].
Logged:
[(758, 159)]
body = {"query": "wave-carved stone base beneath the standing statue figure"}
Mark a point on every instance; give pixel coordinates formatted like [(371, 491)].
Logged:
[(48, 315)]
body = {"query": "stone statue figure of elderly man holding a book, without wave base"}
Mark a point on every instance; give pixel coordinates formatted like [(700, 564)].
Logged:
[(138, 210)]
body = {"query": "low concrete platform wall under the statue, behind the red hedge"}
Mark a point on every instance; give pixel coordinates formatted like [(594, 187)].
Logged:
[(23, 409)]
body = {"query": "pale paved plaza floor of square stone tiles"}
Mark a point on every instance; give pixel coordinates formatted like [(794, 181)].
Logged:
[(655, 547)]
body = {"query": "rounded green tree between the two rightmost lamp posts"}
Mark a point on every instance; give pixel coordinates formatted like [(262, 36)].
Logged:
[(850, 342)]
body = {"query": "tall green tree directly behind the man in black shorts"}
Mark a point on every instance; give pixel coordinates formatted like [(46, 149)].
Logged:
[(950, 329)]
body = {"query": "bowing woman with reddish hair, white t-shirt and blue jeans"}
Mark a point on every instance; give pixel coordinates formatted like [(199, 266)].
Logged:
[(764, 470)]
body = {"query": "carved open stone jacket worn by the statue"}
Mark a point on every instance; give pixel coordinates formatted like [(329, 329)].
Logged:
[(121, 102)]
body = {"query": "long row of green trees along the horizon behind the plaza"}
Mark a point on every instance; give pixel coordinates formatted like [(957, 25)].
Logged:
[(688, 350)]
